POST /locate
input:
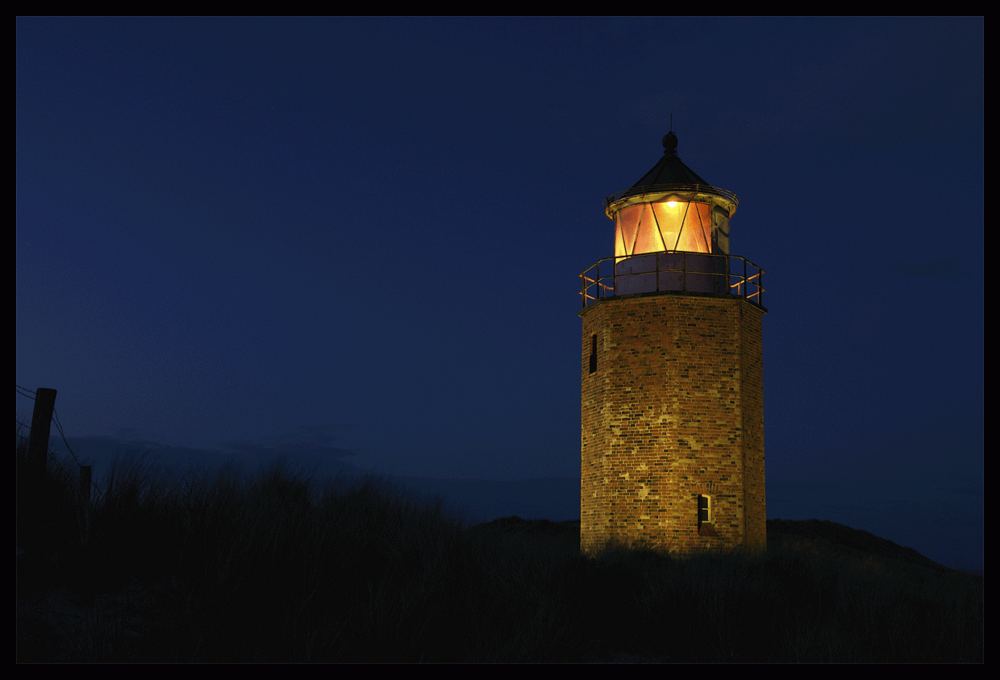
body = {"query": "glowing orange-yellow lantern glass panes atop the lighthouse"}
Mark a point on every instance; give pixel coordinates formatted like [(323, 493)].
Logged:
[(663, 226)]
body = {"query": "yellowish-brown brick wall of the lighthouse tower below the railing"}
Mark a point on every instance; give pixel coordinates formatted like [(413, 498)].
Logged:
[(674, 409)]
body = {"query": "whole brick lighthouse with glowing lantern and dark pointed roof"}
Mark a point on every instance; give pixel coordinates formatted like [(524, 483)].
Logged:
[(672, 397)]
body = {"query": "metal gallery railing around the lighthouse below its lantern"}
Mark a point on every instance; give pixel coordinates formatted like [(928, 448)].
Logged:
[(673, 272)]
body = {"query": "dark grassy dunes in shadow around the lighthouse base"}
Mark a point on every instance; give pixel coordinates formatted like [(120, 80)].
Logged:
[(268, 569)]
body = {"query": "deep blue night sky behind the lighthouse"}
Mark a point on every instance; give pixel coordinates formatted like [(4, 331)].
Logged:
[(369, 231)]
